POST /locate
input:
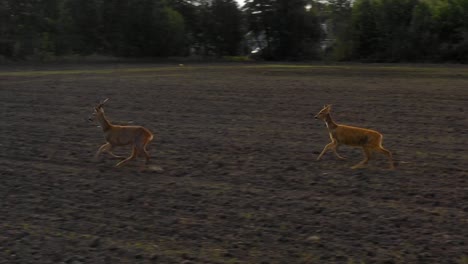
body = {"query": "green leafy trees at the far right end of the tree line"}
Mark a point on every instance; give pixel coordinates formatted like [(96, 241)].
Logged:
[(406, 30)]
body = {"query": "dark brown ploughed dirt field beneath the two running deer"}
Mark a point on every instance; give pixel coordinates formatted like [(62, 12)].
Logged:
[(234, 176)]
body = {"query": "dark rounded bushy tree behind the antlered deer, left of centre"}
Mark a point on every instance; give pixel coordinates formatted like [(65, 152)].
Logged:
[(138, 28)]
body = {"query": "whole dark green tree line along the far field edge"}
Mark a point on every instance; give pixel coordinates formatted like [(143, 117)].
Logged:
[(341, 30)]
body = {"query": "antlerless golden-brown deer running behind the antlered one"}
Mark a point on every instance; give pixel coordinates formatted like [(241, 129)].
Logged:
[(369, 140)]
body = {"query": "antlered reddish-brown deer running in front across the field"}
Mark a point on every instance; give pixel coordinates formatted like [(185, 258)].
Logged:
[(116, 135)]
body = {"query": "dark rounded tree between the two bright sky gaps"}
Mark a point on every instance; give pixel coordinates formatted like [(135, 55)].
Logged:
[(284, 29)]
